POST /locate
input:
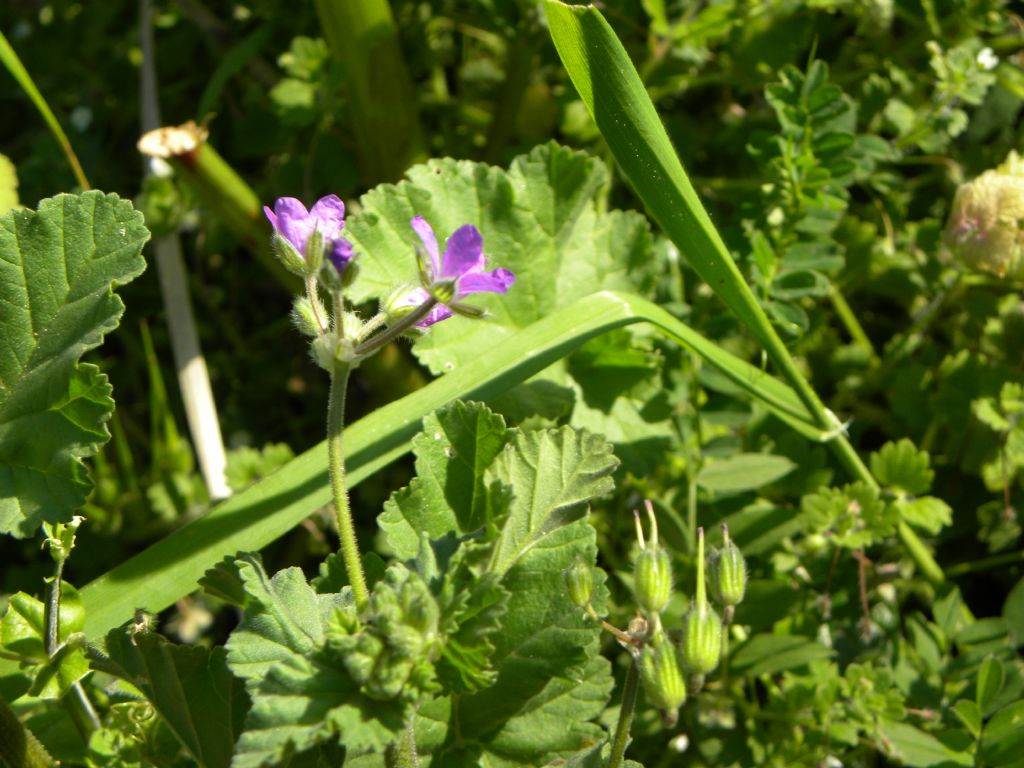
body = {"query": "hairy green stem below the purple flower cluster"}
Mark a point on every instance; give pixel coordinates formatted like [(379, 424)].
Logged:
[(336, 470)]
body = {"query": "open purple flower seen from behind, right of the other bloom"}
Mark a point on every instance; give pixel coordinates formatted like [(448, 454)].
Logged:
[(462, 265)]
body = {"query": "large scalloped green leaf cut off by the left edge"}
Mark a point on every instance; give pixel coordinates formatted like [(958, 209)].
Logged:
[(59, 269)]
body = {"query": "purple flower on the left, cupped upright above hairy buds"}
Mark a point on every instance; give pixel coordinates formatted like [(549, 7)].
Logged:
[(296, 226)]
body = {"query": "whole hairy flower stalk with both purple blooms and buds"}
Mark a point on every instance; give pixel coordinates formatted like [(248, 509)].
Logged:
[(310, 244)]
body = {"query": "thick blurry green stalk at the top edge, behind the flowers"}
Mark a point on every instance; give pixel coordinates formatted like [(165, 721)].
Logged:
[(382, 110)]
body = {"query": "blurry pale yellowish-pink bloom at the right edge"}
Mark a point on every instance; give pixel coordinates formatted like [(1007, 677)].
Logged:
[(987, 224)]
